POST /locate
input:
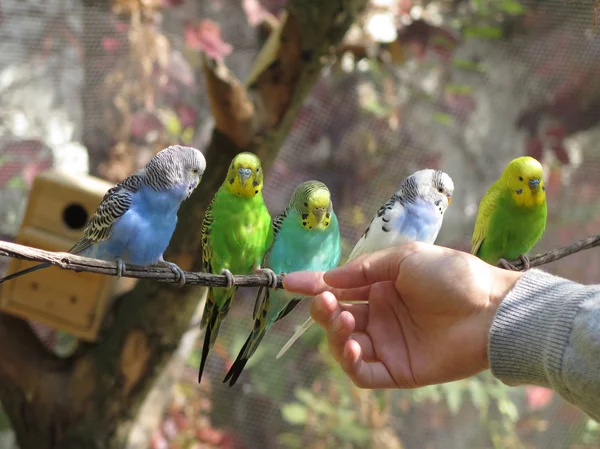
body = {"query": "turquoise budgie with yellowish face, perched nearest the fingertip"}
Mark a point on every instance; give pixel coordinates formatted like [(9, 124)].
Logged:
[(307, 237)]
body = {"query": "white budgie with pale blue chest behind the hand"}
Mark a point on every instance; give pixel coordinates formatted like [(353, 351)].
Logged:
[(414, 213)]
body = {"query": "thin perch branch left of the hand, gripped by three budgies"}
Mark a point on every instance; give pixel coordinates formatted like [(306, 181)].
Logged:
[(68, 261)]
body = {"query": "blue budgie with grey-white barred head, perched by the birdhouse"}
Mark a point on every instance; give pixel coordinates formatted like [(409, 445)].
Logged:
[(136, 218)]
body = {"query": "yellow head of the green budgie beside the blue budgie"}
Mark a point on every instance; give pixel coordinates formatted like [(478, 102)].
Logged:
[(245, 176)]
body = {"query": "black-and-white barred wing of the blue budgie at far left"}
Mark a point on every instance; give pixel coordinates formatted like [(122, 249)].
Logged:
[(114, 204)]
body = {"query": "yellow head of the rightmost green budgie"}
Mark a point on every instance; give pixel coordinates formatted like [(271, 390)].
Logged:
[(524, 177)]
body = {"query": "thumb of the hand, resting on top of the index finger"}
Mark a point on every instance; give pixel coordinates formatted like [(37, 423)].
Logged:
[(371, 268)]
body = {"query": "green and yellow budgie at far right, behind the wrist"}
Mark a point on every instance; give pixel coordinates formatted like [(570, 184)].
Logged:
[(512, 215)]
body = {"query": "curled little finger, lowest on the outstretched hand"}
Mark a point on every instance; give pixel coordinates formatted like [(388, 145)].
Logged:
[(364, 374)]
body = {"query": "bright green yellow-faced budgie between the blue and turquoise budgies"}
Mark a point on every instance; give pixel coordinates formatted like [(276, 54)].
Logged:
[(236, 232)]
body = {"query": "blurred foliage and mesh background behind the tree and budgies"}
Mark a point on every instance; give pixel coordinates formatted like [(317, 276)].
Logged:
[(460, 85)]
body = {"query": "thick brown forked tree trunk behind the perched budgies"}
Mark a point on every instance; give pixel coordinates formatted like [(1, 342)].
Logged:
[(90, 400)]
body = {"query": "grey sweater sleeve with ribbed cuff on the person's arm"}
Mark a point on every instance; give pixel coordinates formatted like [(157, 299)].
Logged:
[(546, 332)]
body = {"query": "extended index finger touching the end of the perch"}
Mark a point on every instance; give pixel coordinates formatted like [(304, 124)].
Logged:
[(311, 283)]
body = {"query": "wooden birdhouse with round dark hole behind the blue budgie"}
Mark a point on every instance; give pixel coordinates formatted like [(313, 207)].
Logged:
[(59, 207)]
